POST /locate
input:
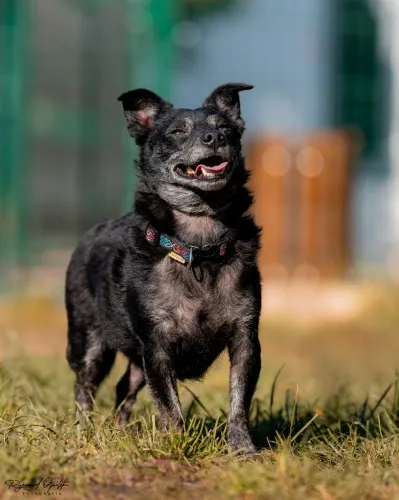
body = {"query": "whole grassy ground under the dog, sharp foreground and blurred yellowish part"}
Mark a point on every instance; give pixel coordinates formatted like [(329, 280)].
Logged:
[(325, 419)]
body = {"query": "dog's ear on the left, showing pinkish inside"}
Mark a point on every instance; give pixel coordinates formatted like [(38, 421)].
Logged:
[(142, 108)]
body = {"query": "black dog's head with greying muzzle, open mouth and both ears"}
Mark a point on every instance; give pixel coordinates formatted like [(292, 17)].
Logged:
[(190, 149)]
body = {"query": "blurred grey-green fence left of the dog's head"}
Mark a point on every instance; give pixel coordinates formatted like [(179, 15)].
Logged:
[(65, 158)]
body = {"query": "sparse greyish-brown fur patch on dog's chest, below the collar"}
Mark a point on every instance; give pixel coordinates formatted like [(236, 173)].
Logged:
[(183, 306)]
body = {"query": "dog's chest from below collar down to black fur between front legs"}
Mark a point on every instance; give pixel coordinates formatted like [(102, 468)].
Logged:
[(194, 319)]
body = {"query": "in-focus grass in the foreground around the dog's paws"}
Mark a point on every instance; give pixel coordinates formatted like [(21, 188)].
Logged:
[(344, 450)]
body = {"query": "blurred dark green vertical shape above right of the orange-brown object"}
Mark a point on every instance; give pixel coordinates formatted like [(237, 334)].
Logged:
[(361, 76)]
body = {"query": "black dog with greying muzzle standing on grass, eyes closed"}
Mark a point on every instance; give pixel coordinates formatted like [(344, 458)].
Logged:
[(175, 282)]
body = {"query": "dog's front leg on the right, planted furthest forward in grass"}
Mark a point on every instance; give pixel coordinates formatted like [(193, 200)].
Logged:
[(244, 352)]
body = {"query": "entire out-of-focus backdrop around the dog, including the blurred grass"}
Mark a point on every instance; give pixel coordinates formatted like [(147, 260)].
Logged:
[(322, 143)]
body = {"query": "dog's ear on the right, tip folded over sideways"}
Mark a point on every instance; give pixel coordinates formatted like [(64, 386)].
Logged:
[(226, 99)]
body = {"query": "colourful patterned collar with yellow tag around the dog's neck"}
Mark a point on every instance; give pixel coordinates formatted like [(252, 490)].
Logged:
[(187, 254)]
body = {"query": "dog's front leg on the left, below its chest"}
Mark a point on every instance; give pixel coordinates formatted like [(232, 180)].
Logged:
[(162, 383)]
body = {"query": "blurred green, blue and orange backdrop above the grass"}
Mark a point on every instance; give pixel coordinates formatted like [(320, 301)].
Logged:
[(322, 134)]
